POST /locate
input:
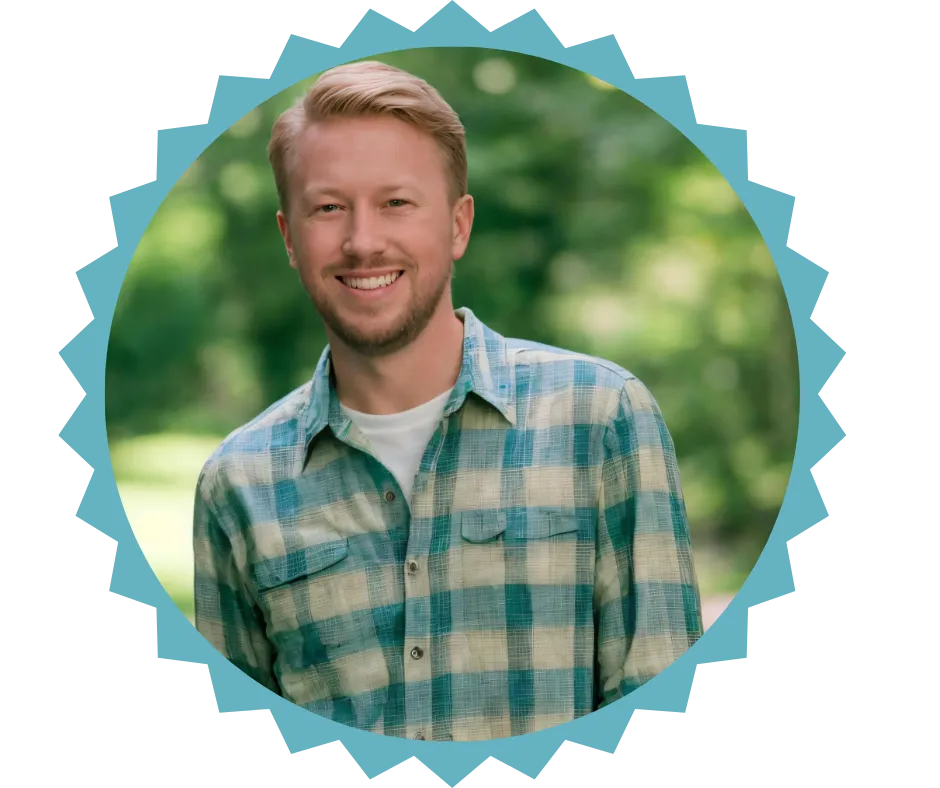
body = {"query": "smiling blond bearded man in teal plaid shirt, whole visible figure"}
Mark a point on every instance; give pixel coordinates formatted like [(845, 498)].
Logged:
[(445, 534)]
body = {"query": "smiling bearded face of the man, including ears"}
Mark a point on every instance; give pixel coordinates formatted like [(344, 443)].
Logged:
[(371, 229)]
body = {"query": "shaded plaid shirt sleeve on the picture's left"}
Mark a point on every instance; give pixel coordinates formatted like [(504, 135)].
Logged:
[(225, 612)]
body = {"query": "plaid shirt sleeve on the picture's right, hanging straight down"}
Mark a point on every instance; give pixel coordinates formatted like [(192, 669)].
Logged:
[(646, 596)]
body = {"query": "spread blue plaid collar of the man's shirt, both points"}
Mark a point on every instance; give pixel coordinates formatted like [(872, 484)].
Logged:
[(485, 372)]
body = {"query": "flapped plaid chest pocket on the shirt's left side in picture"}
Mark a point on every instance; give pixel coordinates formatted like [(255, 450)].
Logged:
[(319, 614)]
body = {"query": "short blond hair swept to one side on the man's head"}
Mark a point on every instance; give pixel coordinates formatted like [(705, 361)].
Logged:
[(370, 89)]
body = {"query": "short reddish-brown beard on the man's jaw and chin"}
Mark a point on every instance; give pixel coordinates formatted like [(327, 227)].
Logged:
[(383, 340)]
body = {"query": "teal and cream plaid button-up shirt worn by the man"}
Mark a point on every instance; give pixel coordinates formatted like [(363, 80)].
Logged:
[(544, 569)]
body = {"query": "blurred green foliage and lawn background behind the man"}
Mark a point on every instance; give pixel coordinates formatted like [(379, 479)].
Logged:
[(599, 227)]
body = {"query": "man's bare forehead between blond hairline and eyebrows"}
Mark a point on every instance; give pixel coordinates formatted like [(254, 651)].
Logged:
[(366, 150)]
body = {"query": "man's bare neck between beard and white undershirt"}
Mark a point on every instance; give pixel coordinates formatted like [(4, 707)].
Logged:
[(427, 367)]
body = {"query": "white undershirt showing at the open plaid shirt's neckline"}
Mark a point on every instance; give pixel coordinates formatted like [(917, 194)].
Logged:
[(398, 441)]
